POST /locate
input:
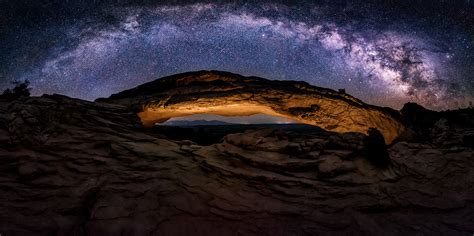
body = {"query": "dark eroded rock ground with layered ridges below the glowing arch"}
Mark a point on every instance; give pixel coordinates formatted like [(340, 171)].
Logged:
[(70, 167)]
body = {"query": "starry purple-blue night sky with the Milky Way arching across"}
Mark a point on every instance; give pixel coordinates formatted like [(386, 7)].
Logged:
[(383, 52)]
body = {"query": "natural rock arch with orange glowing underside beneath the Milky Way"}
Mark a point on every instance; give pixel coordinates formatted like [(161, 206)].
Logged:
[(228, 94)]
